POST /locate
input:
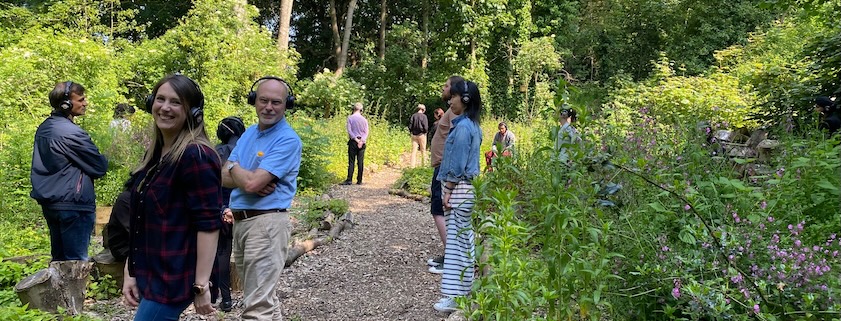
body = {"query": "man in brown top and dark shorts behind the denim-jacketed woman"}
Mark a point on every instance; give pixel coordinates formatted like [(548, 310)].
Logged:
[(436, 205)]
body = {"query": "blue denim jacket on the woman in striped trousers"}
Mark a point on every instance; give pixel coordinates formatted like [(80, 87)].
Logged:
[(461, 152)]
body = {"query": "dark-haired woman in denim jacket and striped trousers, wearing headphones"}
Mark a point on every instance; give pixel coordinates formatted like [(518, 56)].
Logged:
[(459, 166)]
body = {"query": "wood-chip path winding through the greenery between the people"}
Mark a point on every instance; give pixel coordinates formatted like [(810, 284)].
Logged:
[(375, 271)]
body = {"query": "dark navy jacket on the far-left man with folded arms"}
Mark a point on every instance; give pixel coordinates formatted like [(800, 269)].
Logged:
[(65, 162)]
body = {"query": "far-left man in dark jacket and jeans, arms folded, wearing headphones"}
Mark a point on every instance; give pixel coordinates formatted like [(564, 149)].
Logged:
[(65, 162)]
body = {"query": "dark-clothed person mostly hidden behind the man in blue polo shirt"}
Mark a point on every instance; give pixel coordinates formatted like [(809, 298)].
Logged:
[(228, 131)]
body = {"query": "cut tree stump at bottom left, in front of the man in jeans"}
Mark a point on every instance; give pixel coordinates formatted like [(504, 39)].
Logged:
[(62, 284)]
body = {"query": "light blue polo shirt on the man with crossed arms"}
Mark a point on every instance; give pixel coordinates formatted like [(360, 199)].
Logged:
[(276, 150)]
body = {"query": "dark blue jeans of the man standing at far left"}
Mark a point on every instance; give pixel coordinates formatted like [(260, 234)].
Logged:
[(70, 233)]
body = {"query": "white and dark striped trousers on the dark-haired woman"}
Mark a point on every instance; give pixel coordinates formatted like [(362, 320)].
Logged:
[(459, 263)]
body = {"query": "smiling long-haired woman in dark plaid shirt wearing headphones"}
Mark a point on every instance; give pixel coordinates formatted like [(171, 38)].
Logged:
[(175, 203)]
